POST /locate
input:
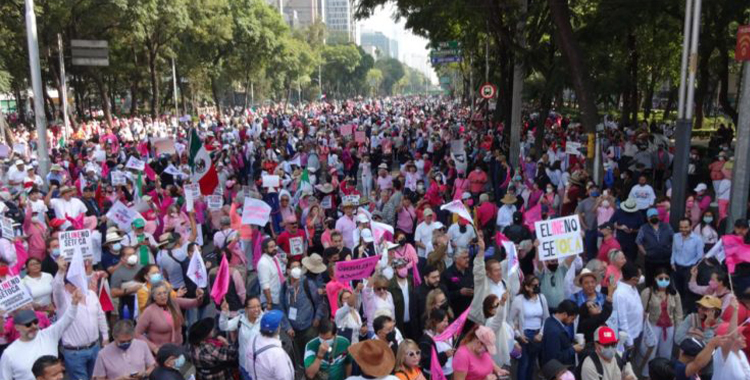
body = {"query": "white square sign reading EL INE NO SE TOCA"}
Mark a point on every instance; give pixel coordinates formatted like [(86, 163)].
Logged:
[(559, 237)]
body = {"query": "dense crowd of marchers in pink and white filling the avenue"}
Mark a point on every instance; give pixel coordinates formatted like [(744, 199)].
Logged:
[(367, 239)]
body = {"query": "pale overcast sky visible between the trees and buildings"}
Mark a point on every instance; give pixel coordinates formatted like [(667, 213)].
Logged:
[(412, 48)]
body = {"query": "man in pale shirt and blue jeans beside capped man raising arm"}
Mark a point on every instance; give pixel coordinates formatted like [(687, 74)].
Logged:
[(80, 341)]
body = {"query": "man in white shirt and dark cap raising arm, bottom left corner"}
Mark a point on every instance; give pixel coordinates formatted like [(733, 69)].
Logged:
[(32, 343)]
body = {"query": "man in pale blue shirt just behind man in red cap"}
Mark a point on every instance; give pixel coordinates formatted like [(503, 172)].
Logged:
[(627, 305)]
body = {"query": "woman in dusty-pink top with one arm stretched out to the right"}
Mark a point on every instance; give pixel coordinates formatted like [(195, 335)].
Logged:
[(161, 321)]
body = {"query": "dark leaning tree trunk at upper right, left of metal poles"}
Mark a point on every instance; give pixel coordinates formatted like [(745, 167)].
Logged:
[(580, 75)]
